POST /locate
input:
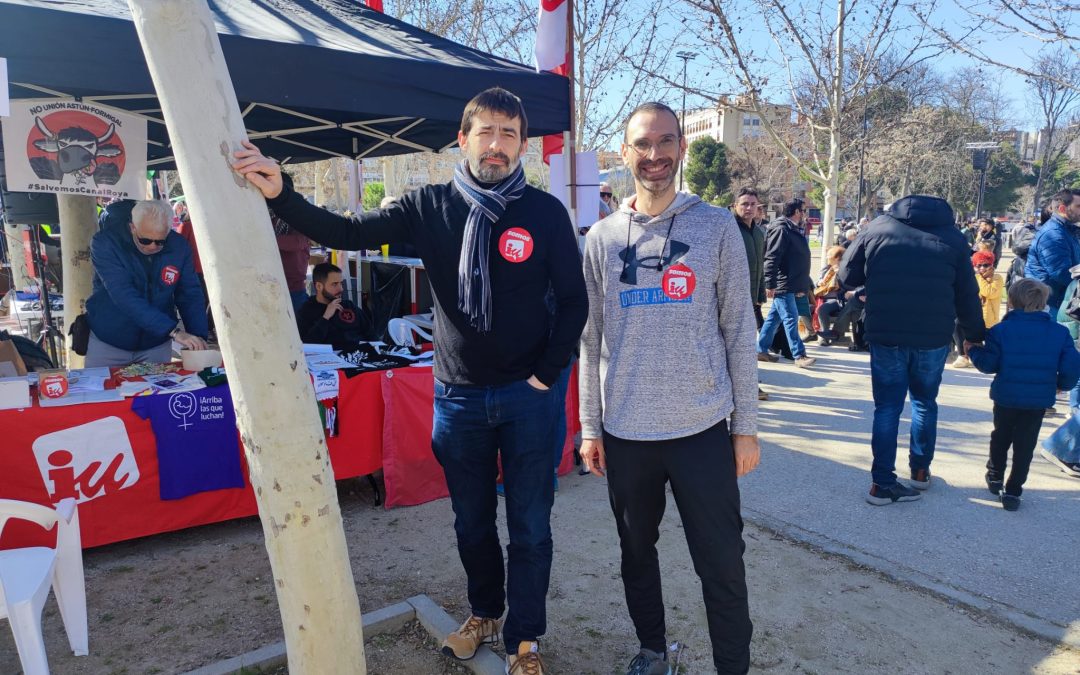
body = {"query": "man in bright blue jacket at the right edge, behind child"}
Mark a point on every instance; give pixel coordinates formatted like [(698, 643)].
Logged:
[(1057, 248)]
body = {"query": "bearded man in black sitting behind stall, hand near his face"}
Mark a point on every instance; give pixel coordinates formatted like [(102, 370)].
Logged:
[(329, 318)]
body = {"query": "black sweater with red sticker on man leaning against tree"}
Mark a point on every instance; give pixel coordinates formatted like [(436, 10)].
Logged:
[(526, 339)]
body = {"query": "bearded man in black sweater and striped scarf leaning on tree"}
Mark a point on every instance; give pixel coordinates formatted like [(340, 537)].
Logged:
[(494, 248)]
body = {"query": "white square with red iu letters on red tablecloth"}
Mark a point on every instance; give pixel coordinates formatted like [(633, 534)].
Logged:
[(87, 462)]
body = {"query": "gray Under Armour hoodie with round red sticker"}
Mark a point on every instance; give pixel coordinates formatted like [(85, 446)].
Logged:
[(668, 354)]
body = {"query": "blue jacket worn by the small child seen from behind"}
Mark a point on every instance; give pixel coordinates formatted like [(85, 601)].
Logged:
[(1033, 356)]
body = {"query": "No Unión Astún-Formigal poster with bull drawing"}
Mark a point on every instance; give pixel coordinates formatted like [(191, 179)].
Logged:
[(75, 148)]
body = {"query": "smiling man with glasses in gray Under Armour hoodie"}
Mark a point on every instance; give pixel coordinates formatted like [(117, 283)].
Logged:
[(669, 387)]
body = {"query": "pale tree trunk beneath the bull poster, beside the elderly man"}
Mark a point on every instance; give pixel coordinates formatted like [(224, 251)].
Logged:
[(78, 226)]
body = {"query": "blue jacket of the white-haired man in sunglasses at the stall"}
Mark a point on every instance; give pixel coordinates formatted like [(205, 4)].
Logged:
[(136, 298)]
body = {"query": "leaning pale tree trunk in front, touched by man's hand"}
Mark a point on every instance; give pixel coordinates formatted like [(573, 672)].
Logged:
[(272, 391)]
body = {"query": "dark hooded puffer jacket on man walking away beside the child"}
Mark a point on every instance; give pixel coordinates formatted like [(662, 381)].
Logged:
[(916, 267)]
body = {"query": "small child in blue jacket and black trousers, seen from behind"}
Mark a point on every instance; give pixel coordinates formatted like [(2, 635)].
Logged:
[(1033, 357)]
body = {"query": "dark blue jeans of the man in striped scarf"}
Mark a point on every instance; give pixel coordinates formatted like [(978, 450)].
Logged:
[(472, 427)]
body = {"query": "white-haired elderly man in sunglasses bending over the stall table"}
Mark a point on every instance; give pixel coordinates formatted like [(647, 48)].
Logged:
[(144, 274)]
